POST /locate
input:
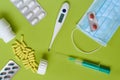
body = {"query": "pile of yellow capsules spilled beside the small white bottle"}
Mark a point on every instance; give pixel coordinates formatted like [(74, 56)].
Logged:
[(25, 54)]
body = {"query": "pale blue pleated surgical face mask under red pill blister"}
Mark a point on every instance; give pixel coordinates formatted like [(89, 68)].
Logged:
[(108, 17)]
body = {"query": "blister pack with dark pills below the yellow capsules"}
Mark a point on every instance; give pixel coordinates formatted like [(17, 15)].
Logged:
[(9, 70)]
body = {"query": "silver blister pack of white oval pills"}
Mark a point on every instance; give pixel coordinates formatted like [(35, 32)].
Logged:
[(30, 9)]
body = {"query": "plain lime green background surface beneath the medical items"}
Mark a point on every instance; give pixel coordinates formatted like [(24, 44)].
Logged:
[(38, 37)]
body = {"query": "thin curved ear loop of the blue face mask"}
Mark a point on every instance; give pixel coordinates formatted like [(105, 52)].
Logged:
[(79, 49)]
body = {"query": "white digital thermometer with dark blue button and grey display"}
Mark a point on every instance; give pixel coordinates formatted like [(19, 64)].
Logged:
[(59, 21)]
